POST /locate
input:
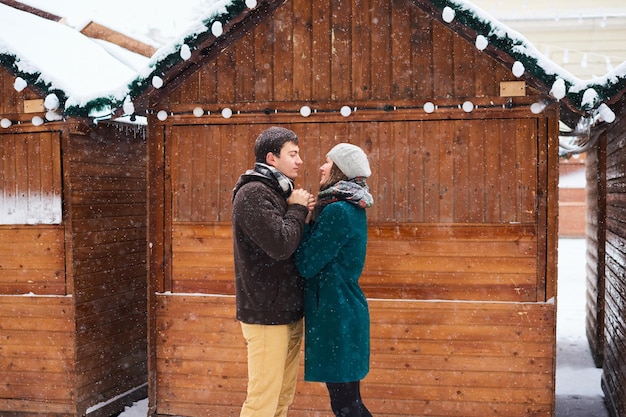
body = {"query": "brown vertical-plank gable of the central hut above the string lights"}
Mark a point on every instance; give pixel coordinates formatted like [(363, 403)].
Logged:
[(364, 55)]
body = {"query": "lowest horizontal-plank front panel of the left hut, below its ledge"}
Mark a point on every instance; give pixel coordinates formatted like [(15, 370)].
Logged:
[(37, 356)]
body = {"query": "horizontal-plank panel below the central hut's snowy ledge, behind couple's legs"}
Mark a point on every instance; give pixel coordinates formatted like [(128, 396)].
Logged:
[(451, 358)]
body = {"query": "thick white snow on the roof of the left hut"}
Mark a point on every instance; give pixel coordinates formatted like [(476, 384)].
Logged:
[(59, 60)]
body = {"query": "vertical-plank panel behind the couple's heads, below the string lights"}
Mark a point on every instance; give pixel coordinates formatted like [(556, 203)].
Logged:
[(470, 174)]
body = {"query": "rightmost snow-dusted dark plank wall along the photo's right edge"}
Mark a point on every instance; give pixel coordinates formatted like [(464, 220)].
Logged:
[(614, 365)]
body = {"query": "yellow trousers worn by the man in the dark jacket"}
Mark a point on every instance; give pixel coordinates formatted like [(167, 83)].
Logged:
[(273, 361)]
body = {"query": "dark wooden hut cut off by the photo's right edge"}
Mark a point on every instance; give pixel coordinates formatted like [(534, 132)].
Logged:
[(606, 252)]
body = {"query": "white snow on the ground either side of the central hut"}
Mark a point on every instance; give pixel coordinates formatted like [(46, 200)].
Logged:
[(577, 379)]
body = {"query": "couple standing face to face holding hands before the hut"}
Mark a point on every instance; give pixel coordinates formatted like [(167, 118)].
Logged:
[(297, 255)]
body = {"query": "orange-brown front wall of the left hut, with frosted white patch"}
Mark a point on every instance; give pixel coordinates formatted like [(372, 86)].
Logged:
[(36, 315)]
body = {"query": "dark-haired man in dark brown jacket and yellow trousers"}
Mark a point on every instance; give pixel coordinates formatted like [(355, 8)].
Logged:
[(268, 223)]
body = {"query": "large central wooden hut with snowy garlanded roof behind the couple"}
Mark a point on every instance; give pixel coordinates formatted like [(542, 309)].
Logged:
[(463, 144)]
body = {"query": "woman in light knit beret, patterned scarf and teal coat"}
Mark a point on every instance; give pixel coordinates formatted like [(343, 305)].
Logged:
[(330, 258)]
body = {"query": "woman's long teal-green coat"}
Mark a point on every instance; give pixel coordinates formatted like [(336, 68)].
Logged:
[(337, 324)]
